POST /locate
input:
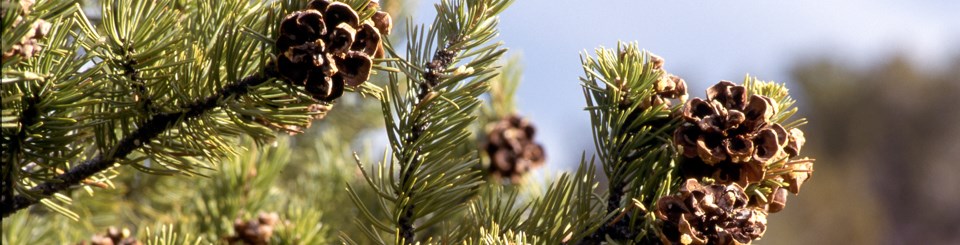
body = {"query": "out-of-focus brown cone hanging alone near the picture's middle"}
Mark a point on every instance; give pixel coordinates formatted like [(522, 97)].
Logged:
[(511, 148)]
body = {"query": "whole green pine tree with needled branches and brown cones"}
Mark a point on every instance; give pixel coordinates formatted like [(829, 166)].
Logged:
[(228, 122)]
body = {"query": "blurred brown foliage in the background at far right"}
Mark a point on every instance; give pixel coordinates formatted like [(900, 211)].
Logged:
[(888, 143)]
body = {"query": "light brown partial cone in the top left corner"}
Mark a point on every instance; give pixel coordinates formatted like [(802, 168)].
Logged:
[(29, 45)]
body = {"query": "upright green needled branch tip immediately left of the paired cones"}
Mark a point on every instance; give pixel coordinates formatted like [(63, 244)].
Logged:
[(628, 96)]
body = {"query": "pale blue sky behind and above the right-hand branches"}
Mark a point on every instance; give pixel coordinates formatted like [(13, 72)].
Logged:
[(703, 42)]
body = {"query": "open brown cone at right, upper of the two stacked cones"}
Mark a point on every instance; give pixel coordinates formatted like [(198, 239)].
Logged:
[(730, 136)]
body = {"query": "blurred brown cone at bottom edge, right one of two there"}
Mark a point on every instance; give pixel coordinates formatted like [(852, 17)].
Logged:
[(254, 232)]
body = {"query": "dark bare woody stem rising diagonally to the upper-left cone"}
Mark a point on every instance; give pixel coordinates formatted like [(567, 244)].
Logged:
[(153, 127)]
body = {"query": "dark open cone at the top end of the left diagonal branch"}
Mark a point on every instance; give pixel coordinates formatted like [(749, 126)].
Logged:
[(325, 48)]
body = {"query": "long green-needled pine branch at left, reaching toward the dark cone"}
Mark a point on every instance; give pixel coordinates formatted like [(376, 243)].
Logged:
[(149, 69)]
